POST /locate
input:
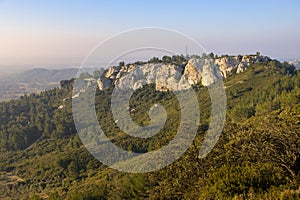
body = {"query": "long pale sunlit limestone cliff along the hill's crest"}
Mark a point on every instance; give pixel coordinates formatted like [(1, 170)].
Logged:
[(174, 77)]
